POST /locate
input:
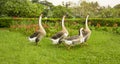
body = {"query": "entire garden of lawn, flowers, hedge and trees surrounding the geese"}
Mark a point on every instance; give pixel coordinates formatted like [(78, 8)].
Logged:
[(19, 19)]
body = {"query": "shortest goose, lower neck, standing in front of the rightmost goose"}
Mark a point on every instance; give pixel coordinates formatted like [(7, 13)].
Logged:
[(73, 40)]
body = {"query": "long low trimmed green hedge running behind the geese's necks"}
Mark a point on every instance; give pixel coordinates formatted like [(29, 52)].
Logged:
[(7, 22)]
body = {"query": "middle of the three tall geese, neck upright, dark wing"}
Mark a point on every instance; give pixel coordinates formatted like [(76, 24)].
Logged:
[(57, 38)]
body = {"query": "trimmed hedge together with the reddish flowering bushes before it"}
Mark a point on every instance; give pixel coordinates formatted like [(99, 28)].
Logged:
[(52, 25)]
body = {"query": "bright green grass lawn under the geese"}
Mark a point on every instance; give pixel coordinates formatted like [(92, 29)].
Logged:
[(103, 48)]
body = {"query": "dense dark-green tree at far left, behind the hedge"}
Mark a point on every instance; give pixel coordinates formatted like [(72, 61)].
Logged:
[(18, 8)]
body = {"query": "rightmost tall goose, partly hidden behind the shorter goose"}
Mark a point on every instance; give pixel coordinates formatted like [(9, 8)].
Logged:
[(86, 30)]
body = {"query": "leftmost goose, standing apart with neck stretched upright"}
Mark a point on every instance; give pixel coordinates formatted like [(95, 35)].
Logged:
[(39, 34)]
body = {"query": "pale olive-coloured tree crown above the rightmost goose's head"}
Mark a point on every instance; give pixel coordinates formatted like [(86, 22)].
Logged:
[(85, 8)]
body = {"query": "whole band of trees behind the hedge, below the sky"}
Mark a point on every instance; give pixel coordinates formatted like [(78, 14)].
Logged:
[(27, 8)]
